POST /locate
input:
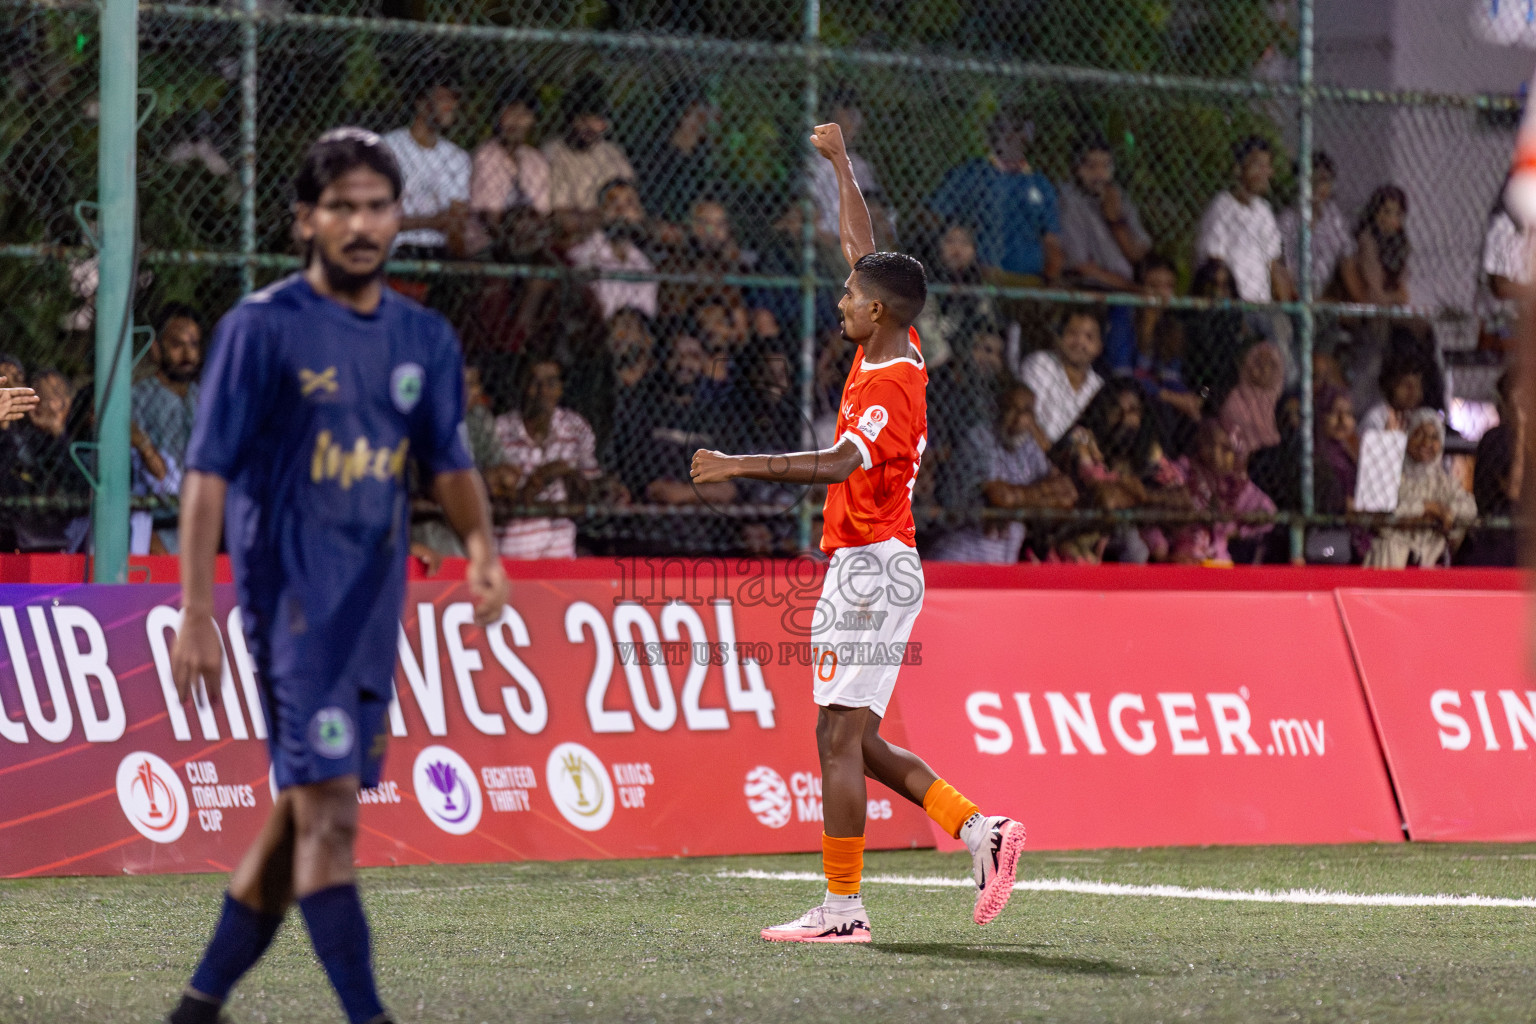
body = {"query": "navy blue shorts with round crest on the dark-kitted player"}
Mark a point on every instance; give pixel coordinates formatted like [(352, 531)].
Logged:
[(319, 733)]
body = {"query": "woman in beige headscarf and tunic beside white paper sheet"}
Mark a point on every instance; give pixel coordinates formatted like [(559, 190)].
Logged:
[(1431, 503)]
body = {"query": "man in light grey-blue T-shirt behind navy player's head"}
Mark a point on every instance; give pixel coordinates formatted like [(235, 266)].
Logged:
[(435, 202)]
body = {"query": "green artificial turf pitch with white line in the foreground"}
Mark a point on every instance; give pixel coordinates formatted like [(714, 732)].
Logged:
[(672, 940)]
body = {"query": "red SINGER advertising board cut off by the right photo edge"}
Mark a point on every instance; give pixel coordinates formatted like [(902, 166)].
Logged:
[(1454, 705)]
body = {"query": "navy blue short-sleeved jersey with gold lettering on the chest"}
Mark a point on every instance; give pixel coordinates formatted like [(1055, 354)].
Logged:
[(313, 412)]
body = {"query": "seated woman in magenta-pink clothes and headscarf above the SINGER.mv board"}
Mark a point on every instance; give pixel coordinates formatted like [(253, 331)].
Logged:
[(1217, 484)]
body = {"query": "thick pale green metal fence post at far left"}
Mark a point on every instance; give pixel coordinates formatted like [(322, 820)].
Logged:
[(114, 302)]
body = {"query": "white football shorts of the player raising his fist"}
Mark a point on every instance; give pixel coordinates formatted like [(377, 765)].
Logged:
[(870, 601)]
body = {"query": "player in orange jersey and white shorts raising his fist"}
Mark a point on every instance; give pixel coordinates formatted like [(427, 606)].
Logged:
[(875, 581)]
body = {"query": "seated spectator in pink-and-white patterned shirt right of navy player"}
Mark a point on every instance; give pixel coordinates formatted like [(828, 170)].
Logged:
[(557, 460)]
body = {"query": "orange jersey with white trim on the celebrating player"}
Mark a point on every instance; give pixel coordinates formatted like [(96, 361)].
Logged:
[(886, 414)]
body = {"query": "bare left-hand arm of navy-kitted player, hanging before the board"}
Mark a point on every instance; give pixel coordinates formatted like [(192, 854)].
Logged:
[(199, 653)]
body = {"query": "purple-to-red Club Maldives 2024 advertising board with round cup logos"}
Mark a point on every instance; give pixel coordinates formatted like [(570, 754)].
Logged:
[(598, 719)]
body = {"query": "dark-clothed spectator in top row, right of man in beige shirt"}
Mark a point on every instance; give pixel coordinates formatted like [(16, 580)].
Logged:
[(681, 162)]
